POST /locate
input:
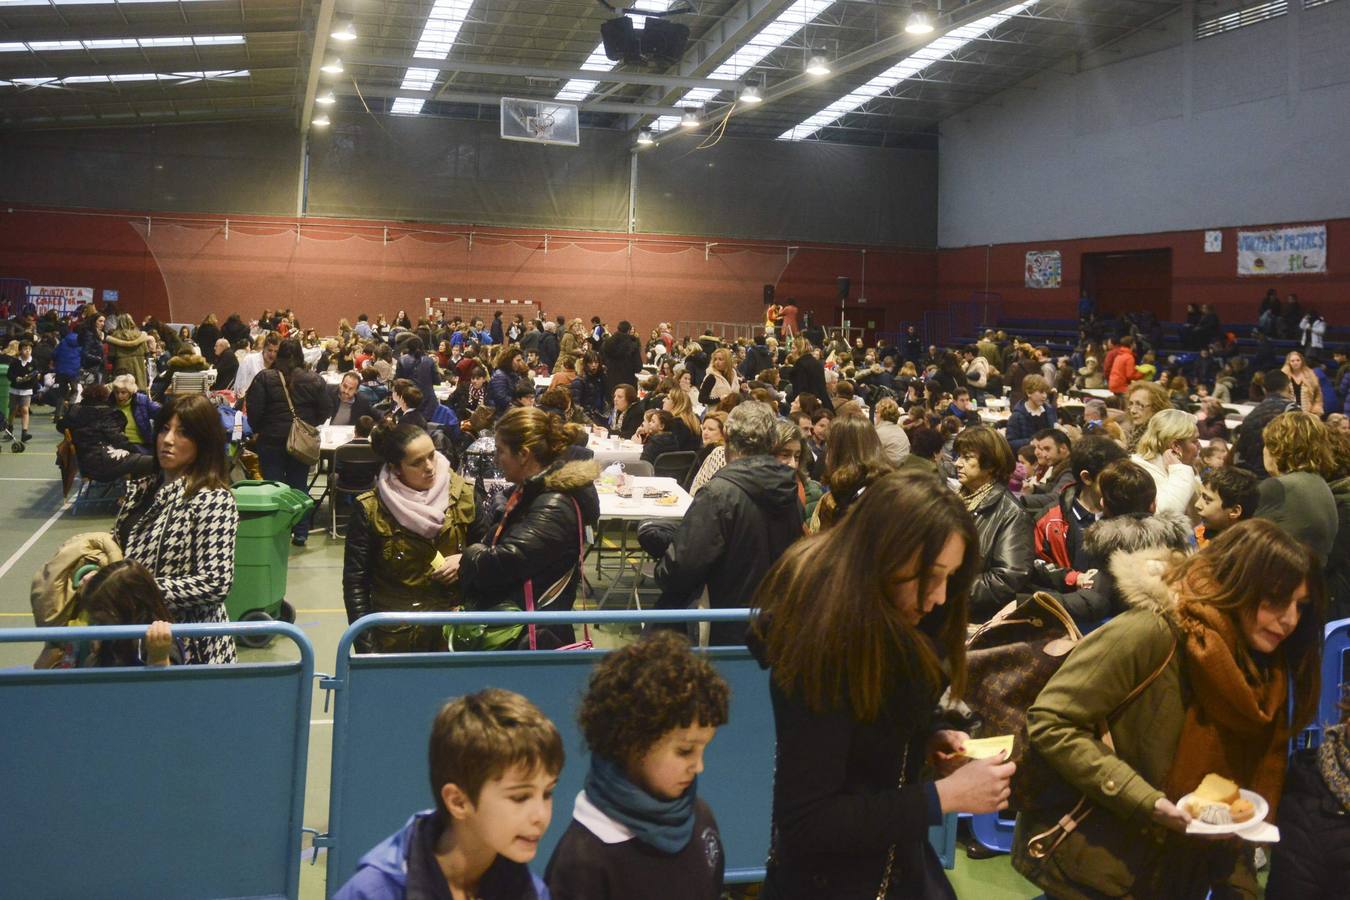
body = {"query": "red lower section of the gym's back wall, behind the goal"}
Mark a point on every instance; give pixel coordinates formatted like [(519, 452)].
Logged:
[(180, 268)]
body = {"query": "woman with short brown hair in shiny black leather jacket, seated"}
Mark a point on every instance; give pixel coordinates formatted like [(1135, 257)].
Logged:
[(983, 466)]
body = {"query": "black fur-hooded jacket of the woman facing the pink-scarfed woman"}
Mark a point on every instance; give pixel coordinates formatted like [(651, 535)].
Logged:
[(539, 542)]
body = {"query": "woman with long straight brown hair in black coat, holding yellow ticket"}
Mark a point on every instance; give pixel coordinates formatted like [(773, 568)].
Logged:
[(855, 685)]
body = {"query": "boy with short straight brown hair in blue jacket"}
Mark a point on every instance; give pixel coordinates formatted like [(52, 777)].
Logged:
[(495, 764)]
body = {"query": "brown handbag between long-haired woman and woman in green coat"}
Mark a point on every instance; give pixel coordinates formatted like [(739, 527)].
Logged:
[(1009, 660)]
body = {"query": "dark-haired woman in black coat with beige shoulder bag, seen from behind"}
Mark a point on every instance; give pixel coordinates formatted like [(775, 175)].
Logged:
[(279, 396)]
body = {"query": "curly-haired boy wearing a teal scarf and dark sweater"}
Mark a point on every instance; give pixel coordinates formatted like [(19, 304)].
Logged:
[(639, 828)]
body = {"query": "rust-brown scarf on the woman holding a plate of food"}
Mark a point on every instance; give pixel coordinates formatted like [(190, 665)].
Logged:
[(1237, 723)]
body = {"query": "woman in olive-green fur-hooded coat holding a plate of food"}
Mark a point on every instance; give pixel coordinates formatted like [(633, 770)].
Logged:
[(1214, 643)]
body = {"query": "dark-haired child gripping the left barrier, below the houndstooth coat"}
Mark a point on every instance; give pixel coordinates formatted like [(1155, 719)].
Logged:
[(122, 593)]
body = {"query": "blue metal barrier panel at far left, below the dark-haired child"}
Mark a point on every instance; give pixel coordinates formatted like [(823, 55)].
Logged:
[(186, 782)]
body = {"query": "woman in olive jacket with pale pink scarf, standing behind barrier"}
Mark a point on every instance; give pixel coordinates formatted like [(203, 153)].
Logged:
[(400, 539)]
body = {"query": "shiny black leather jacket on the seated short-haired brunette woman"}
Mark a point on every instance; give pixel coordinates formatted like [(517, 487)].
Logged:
[(1005, 528)]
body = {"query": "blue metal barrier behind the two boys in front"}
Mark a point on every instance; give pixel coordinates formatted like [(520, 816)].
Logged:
[(385, 705)]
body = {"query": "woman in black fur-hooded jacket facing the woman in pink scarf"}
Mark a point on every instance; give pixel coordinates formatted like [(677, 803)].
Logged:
[(535, 534)]
